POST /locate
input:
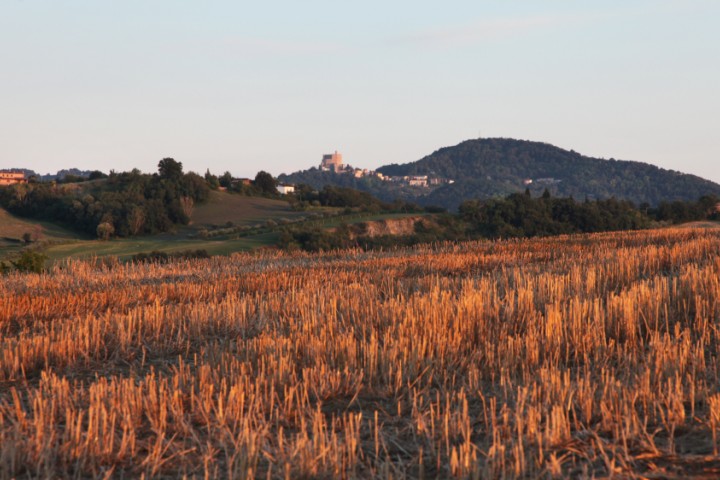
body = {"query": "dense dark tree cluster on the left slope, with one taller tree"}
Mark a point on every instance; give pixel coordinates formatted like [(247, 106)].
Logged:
[(124, 204)]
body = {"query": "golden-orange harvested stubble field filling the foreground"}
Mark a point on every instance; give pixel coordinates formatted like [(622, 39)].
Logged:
[(591, 356)]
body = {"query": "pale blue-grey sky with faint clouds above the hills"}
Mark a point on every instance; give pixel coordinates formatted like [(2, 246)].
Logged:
[(240, 86)]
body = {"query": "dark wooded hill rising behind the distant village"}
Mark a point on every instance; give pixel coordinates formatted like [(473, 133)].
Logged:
[(496, 167)]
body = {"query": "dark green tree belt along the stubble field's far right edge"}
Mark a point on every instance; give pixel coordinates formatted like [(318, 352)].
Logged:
[(517, 215)]
